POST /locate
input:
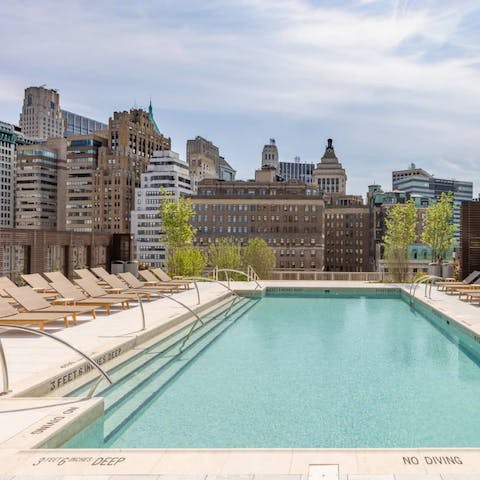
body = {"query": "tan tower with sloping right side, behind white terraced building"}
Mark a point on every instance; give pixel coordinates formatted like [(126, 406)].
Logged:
[(204, 161)]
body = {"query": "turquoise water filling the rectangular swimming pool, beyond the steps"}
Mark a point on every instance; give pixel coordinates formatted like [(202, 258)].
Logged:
[(303, 370)]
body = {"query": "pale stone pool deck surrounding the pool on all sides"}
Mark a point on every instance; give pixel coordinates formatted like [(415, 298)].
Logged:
[(39, 366)]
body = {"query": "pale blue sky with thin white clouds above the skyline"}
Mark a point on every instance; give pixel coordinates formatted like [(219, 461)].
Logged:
[(393, 82)]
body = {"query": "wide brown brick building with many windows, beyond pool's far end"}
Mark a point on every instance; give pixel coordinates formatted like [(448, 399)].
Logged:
[(287, 215)]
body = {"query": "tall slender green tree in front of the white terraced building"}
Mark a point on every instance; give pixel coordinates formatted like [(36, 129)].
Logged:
[(182, 258)]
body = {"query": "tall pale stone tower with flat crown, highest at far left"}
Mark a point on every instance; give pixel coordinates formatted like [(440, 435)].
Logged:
[(41, 117)]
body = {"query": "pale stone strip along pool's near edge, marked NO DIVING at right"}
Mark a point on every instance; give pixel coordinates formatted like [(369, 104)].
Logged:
[(274, 463)]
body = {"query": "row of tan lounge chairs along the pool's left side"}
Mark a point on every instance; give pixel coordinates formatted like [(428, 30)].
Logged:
[(54, 297)]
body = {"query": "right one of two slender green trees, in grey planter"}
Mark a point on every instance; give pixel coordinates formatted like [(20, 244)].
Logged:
[(439, 231)]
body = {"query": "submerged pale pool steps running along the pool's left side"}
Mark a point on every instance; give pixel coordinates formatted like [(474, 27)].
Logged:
[(148, 377)]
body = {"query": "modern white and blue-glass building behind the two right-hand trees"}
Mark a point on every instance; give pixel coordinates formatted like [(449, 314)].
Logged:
[(416, 181)]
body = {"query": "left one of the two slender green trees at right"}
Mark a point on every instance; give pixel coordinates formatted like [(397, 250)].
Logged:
[(401, 224)]
